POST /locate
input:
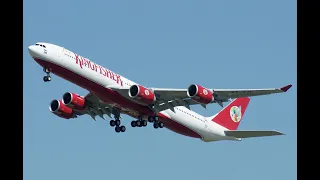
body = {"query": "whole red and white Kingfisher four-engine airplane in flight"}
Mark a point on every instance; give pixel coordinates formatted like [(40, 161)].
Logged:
[(113, 95)]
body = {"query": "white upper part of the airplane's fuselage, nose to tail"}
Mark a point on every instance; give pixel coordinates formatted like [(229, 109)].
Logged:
[(203, 126)]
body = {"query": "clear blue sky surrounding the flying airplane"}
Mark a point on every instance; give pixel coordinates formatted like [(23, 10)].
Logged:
[(218, 44)]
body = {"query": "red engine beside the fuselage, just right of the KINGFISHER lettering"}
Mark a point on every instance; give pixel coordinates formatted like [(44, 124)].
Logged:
[(142, 94)]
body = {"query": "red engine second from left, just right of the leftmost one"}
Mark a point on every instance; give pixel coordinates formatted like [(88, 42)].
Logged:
[(73, 101)]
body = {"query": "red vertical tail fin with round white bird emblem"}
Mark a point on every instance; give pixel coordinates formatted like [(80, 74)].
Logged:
[(230, 116)]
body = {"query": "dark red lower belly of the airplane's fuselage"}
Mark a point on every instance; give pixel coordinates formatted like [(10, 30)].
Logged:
[(110, 96)]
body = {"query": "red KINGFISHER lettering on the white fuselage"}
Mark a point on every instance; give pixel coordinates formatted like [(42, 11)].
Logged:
[(83, 62)]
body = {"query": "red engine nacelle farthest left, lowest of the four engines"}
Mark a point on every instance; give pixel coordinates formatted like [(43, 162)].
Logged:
[(61, 110)]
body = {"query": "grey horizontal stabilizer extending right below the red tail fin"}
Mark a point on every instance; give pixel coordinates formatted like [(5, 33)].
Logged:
[(247, 134)]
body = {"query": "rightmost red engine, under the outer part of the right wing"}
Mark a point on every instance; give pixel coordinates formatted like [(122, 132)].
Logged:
[(200, 94)]
